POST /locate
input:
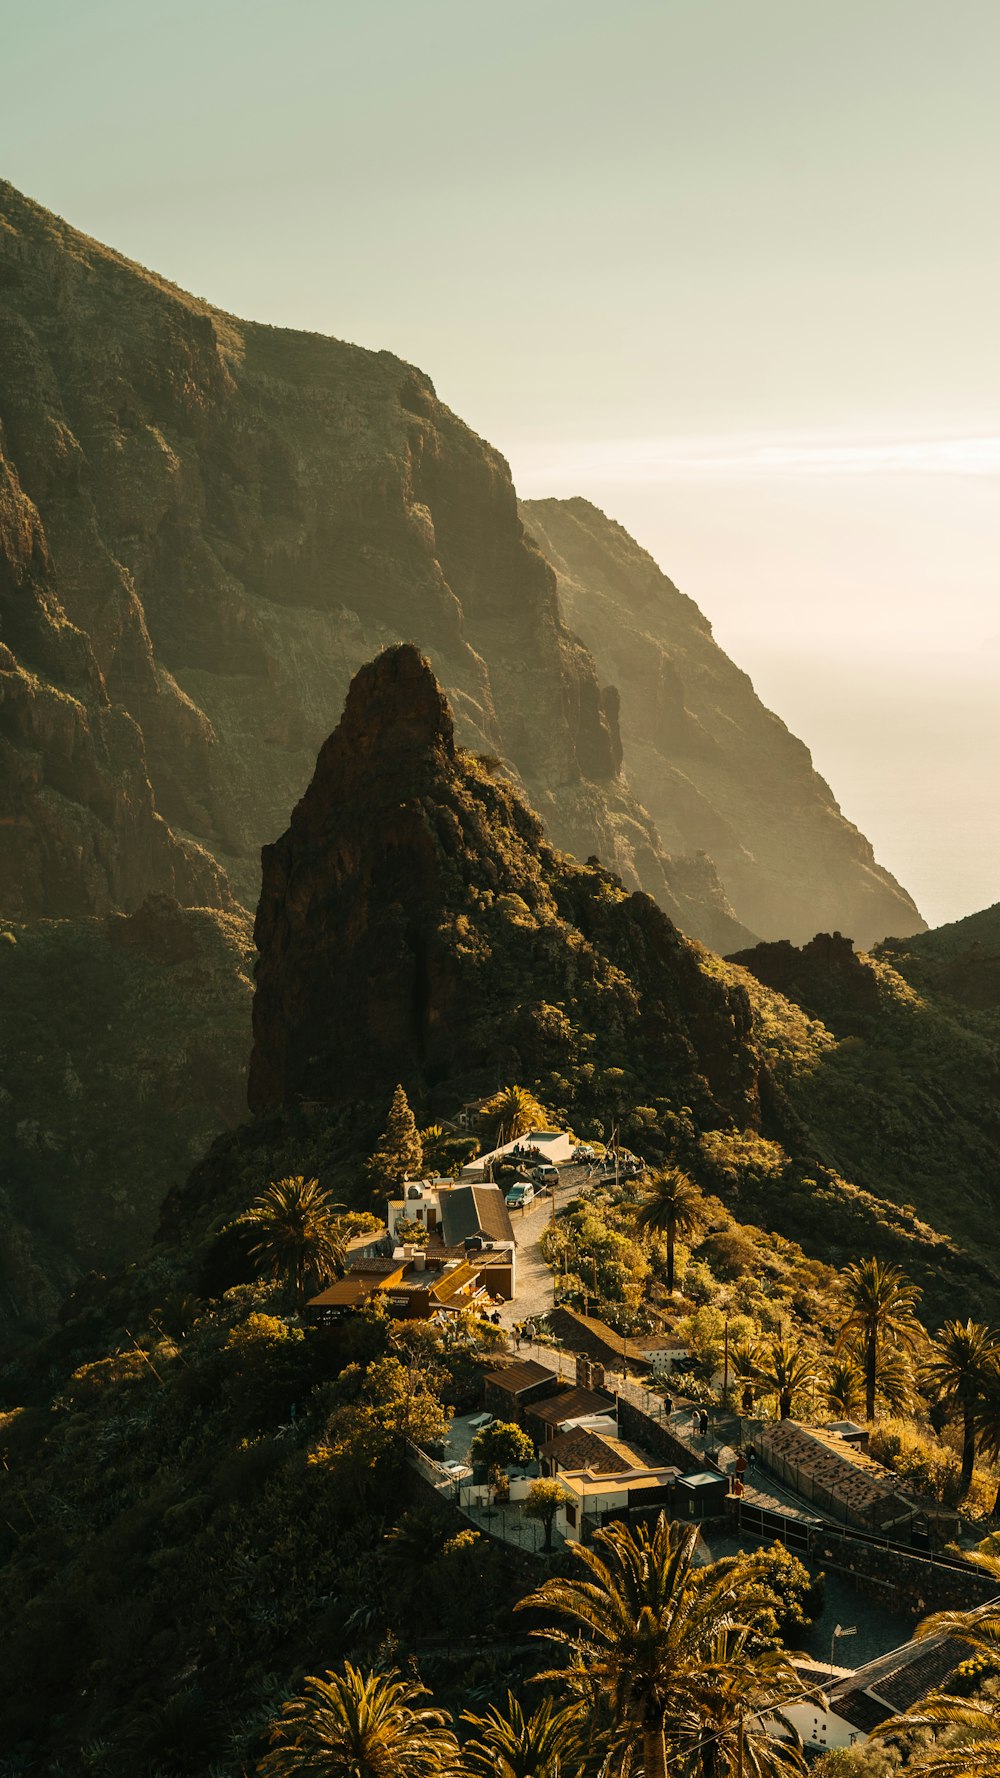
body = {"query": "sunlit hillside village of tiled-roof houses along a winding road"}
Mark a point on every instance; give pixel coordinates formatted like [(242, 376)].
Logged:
[(602, 1427)]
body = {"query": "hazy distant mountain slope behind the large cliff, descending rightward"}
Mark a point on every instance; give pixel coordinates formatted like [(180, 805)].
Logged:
[(714, 767)]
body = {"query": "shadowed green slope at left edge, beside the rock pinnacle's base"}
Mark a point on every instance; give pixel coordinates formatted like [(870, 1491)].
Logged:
[(122, 1055)]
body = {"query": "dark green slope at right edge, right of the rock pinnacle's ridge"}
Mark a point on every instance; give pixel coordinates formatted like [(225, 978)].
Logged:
[(905, 1098)]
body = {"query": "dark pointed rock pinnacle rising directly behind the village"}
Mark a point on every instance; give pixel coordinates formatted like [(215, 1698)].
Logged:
[(415, 925)]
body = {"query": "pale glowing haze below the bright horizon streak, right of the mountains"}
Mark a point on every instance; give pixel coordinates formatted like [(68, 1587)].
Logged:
[(867, 613)]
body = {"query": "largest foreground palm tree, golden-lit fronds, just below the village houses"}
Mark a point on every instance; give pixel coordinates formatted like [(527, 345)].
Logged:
[(641, 1626)]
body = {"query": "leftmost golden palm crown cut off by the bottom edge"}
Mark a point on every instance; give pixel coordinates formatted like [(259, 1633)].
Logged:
[(360, 1726)]
